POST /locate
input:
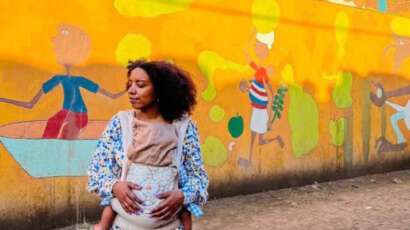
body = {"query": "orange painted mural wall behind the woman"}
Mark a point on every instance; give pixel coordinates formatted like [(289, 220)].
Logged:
[(285, 87)]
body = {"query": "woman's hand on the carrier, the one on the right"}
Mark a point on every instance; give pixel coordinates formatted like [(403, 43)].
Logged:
[(173, 200)]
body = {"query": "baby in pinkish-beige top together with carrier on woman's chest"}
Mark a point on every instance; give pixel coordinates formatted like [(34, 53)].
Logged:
[(152, 164)]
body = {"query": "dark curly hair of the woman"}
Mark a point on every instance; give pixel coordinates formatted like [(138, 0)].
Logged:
[(173, 87)]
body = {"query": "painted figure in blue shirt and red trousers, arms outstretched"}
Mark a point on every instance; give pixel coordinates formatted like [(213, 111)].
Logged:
[(72, 47)]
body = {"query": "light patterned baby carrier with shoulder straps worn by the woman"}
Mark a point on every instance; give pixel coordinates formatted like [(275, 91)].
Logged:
[(152, 179)]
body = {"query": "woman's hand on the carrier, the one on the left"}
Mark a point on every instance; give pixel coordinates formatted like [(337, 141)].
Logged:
[(128, 200)]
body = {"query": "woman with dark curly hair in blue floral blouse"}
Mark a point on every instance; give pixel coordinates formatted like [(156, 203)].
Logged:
[(159, 93)]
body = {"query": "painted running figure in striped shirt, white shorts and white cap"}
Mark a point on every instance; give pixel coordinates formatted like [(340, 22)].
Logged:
[(260, 95)]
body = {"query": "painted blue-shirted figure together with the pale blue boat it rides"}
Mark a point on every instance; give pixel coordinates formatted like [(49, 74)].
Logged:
[(47, 156)]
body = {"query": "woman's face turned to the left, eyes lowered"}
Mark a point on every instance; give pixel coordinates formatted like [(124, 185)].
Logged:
[(140, 89)]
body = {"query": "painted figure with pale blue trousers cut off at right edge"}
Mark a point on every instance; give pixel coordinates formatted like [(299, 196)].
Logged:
[(402, 113)]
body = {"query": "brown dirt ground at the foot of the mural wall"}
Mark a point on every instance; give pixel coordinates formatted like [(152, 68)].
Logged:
[(371, 202)]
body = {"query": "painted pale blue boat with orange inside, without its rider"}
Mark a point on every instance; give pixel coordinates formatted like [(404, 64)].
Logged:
[(42, 158)]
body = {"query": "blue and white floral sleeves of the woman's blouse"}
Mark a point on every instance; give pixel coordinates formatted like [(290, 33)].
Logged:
[(106, 163)]
